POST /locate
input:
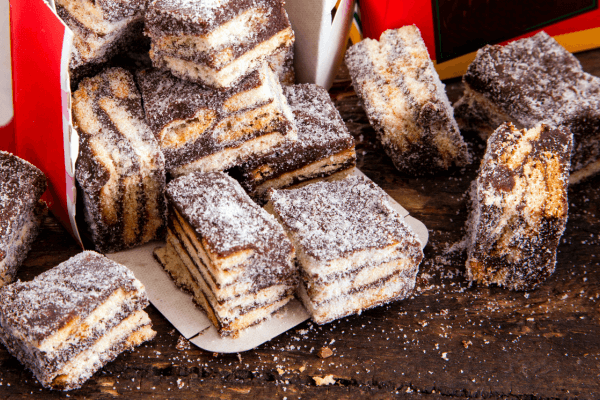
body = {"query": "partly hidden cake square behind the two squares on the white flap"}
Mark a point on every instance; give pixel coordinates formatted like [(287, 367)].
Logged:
[(324, 146)]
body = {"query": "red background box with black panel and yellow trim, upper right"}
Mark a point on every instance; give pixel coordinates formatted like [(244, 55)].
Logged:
[(453, 30)]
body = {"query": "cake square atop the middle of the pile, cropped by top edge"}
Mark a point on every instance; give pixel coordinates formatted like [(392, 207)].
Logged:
[(217, 43)]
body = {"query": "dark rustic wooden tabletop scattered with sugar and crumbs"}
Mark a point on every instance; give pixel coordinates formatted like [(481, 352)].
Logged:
[(449, 340)]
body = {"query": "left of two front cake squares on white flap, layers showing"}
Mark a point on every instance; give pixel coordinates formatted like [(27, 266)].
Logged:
[(227, 251)]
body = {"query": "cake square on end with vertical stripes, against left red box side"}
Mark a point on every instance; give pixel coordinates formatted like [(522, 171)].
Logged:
[(120, 167)]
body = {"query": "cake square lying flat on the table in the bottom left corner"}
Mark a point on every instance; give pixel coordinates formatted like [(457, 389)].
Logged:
[(70, 321)]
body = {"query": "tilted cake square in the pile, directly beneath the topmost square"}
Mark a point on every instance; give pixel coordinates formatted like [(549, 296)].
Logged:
[(210, 130)]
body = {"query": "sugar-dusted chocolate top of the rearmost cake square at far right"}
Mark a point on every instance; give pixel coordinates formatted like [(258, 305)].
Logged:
[(534, 80)]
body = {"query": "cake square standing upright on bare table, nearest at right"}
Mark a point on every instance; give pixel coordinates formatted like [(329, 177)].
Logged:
[(519, 206)]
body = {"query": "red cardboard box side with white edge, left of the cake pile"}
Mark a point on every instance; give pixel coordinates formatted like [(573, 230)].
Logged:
[(43, 133)]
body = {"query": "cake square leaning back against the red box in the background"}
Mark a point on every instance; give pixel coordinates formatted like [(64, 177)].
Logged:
[(405, 101)]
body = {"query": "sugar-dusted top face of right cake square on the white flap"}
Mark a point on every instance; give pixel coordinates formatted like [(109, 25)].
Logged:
[(335, 219)]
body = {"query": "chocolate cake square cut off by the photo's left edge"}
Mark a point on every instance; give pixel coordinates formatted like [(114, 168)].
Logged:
[(21, 211)]
